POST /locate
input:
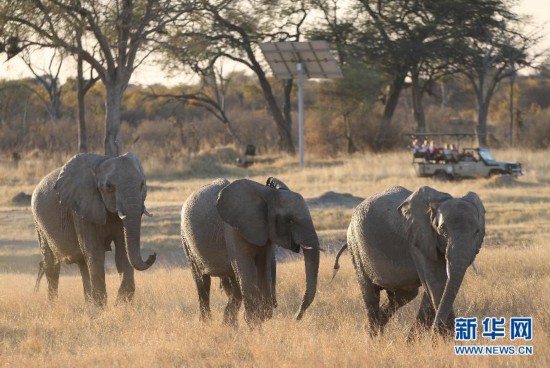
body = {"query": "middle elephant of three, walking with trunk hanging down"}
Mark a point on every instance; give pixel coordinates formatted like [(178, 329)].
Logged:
[(229, 230)]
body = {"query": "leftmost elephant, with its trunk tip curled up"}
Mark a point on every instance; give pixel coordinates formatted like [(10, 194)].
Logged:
[(79, 209)]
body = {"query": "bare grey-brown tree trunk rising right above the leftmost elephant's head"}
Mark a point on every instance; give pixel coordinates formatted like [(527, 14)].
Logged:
[(113, 101)]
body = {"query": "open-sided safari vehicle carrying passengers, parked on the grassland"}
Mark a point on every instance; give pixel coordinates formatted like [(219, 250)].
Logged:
[(452, 163)]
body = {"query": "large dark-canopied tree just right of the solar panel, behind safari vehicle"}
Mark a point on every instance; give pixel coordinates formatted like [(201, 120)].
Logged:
[(419, 40)]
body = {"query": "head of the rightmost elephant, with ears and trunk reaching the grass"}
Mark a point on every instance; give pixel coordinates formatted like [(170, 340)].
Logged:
[(440, 225)]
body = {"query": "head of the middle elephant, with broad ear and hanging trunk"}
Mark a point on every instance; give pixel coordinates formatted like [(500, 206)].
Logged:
[(263, 213)]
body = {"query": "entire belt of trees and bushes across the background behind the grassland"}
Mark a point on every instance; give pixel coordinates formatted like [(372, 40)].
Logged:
[(424, 66)]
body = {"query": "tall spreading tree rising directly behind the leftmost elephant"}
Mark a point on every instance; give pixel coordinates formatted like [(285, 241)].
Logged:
[(122, 30)]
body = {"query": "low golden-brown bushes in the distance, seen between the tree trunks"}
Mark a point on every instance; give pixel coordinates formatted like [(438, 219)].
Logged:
[(336, 123)]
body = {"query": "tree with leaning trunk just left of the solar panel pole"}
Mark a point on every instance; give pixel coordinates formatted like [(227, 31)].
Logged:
[(233, 29)]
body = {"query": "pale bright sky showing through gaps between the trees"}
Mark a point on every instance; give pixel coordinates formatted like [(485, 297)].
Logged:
[(148, 73)]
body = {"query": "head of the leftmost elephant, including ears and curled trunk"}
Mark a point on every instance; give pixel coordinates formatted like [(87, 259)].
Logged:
[(92, 185)]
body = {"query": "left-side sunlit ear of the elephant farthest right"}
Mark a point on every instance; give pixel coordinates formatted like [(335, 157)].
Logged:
[(419, 210)]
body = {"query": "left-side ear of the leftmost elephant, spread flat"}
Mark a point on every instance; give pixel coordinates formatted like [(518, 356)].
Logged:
[(77, 187)]
